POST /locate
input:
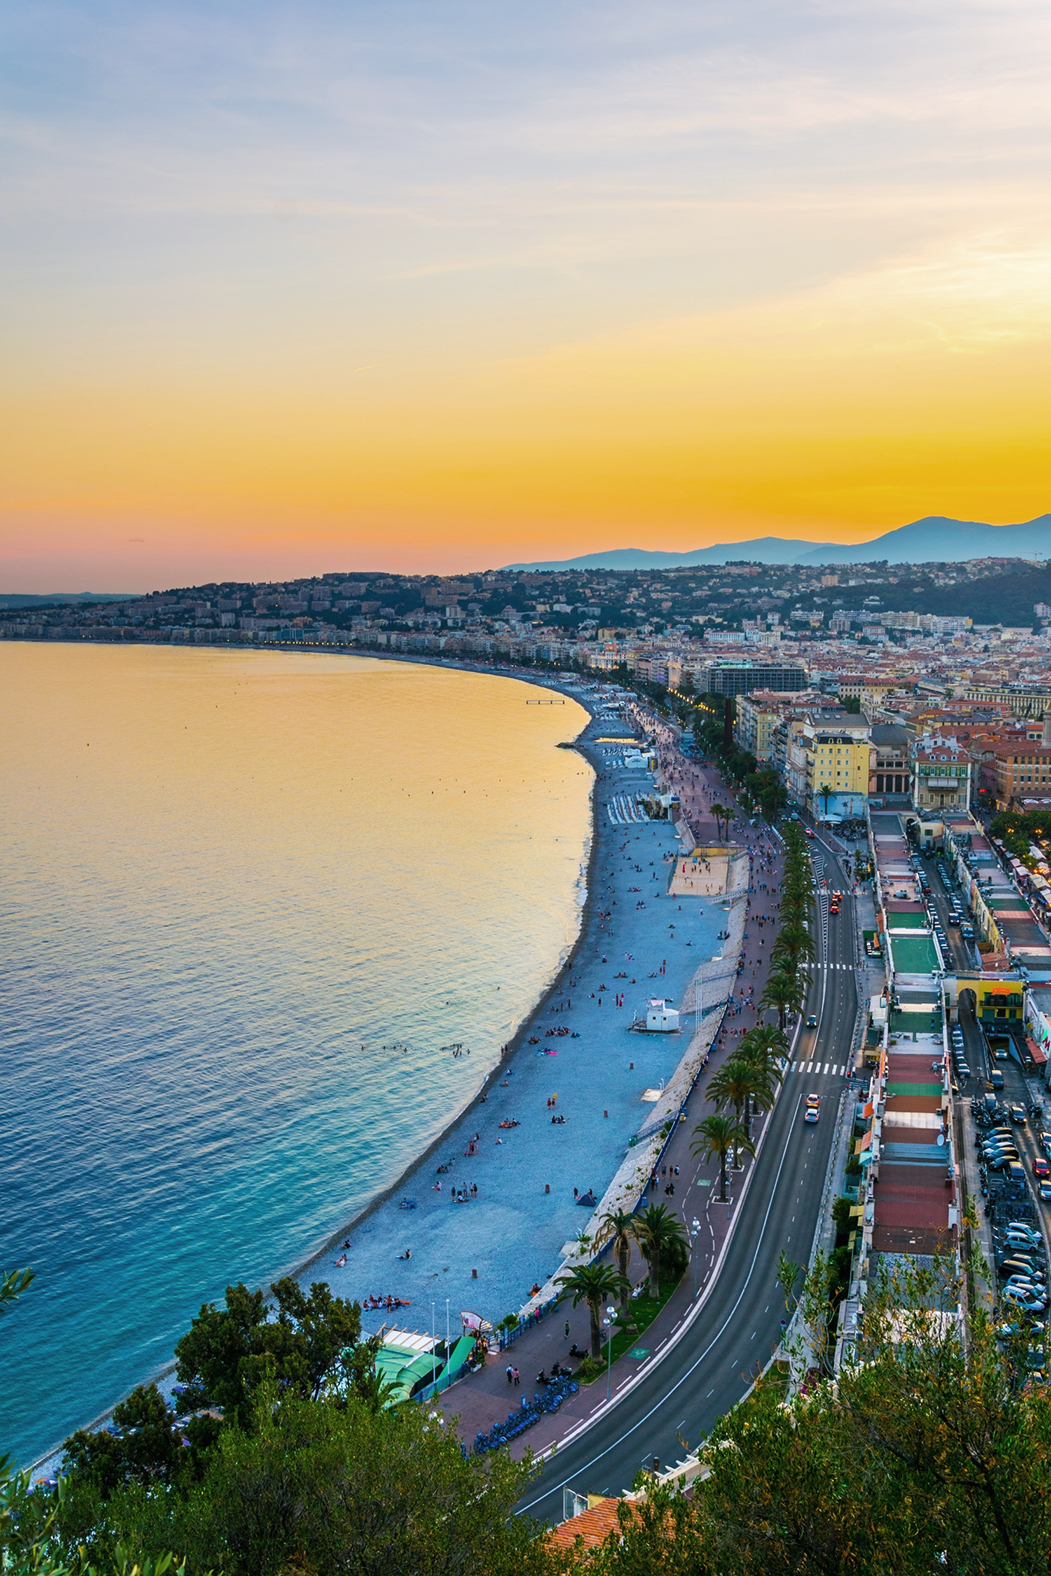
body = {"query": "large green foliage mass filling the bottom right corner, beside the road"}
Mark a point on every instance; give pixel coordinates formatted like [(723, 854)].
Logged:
[(927, 1454)]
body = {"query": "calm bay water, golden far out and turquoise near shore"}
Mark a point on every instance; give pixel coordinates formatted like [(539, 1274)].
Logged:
[(247, 899)]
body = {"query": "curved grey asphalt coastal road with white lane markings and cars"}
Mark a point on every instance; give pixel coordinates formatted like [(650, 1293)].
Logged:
[(711, 1367)]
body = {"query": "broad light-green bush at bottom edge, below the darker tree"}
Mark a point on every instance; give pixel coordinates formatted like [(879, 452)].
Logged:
[(332, 1489)]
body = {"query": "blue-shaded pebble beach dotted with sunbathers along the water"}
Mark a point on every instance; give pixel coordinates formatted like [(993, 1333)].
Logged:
[(486, 1254)]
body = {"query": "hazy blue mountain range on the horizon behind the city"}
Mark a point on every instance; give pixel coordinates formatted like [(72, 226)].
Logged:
[(934, 540)]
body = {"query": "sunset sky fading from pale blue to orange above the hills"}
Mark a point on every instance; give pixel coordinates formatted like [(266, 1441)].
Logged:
[(444, 284)]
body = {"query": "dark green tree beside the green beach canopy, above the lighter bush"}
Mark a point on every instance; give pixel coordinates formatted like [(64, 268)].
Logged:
[(300, 1340)]
